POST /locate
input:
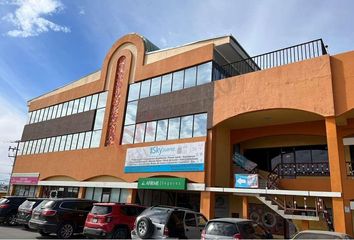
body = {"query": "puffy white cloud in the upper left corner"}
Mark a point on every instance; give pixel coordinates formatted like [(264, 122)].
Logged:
[(29, 19)]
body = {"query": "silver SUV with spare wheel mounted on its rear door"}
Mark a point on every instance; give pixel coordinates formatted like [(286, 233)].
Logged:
[(168, 222)]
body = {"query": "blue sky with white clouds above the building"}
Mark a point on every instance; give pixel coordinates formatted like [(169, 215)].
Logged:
[(45, 44)]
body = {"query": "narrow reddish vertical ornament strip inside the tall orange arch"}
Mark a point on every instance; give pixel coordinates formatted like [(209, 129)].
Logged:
[(113, 117)]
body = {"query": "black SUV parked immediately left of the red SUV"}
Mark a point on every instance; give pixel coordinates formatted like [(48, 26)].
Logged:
[(64, 216)]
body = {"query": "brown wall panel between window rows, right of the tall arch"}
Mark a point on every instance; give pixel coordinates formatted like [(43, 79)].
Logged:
[(184, 102)]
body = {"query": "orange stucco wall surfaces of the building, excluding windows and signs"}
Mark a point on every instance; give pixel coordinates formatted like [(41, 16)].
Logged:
[(303, 103)]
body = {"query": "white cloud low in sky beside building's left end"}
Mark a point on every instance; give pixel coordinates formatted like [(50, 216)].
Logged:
[(12, 121)]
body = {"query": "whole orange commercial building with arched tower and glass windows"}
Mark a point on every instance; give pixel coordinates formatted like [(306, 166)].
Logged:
[(204, 126)]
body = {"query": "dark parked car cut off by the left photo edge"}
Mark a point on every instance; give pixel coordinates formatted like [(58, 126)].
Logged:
[(8, 208)]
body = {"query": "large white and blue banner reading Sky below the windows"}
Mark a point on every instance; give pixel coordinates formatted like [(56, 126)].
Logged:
[(185, 157)]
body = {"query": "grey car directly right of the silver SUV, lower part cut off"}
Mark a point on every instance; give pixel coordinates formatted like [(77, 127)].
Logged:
[(234, 228)]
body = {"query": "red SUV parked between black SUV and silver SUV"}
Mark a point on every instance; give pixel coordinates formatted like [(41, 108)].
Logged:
[(111, 220)]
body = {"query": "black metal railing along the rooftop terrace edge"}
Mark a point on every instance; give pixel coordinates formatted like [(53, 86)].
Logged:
[(276, 58)]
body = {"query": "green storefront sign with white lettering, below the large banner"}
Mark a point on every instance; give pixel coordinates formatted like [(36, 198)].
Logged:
[(162, 183)]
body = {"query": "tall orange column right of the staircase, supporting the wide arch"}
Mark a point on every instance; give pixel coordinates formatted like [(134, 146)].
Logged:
[(337, 172)]
